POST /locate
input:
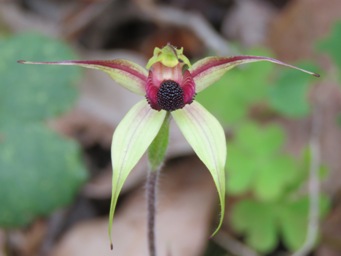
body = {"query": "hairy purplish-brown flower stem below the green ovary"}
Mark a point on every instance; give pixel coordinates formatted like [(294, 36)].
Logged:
[(151, 208)]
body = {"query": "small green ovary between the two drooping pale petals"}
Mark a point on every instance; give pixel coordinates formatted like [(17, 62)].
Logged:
[(157, 150)]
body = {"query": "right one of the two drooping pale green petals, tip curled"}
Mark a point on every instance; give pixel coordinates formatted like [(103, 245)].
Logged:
[(207, 138)]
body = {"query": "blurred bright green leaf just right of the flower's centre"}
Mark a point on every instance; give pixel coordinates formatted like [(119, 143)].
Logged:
[(231, 97)]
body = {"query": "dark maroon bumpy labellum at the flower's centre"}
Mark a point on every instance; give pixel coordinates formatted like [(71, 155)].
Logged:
[(170, 96)]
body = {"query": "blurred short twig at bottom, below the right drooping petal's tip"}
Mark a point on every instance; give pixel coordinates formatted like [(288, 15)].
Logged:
[(224, 240)]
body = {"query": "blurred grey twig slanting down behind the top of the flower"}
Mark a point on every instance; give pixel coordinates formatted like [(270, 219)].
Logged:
[(193, 21)]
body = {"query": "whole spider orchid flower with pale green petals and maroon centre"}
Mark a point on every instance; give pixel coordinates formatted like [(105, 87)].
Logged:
[(169, 84)]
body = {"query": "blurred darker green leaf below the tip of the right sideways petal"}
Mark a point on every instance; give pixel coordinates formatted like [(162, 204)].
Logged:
[(289, 96)]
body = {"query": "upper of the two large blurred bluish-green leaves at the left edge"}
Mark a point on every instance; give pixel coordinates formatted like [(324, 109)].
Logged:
[(29, 93)]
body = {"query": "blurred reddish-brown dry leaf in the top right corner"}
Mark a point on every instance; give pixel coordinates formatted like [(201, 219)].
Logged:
[(297, 28)]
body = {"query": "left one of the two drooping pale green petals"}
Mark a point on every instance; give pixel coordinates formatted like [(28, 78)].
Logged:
[(130, 141)]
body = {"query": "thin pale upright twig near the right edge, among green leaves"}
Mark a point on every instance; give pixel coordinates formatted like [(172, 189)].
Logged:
[(314, 183)]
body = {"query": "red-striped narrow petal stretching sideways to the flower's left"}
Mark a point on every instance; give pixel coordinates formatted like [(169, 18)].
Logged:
[(128, 74)]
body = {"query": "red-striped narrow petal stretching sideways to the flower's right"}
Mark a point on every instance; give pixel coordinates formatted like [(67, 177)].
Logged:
[(208, 70)]
